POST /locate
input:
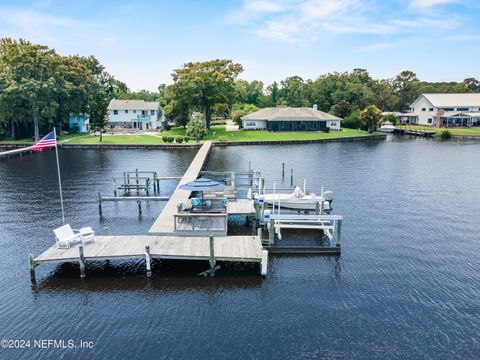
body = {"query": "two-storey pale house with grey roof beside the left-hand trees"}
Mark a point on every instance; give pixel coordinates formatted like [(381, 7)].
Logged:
[(134, 114)]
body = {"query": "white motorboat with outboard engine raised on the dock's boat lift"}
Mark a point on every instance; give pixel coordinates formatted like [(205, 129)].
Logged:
[(297, 200)]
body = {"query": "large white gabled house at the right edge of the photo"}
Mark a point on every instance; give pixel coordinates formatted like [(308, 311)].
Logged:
[(444, 110)]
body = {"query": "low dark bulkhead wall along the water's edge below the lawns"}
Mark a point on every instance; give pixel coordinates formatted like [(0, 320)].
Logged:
[(195, 145)]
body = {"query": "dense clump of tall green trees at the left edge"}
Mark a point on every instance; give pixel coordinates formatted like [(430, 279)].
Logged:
[(39, 89)]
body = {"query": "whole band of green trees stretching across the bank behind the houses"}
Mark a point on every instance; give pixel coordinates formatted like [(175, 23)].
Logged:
[(40, 89)]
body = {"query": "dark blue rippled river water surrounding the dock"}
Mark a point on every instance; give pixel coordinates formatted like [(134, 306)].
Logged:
[(407, 285)]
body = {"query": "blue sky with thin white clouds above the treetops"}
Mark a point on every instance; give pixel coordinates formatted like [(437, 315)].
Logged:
[(141, 42)]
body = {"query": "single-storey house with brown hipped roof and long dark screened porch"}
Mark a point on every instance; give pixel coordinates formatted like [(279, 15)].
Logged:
[(285, 118)]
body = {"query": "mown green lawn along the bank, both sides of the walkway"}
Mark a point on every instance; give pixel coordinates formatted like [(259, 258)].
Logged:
[(215, 133)]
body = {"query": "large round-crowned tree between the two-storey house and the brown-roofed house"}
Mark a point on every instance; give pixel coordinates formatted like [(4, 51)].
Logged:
[(204, 84)]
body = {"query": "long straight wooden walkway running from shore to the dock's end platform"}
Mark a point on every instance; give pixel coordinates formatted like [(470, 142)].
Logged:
[(164, 225)]
